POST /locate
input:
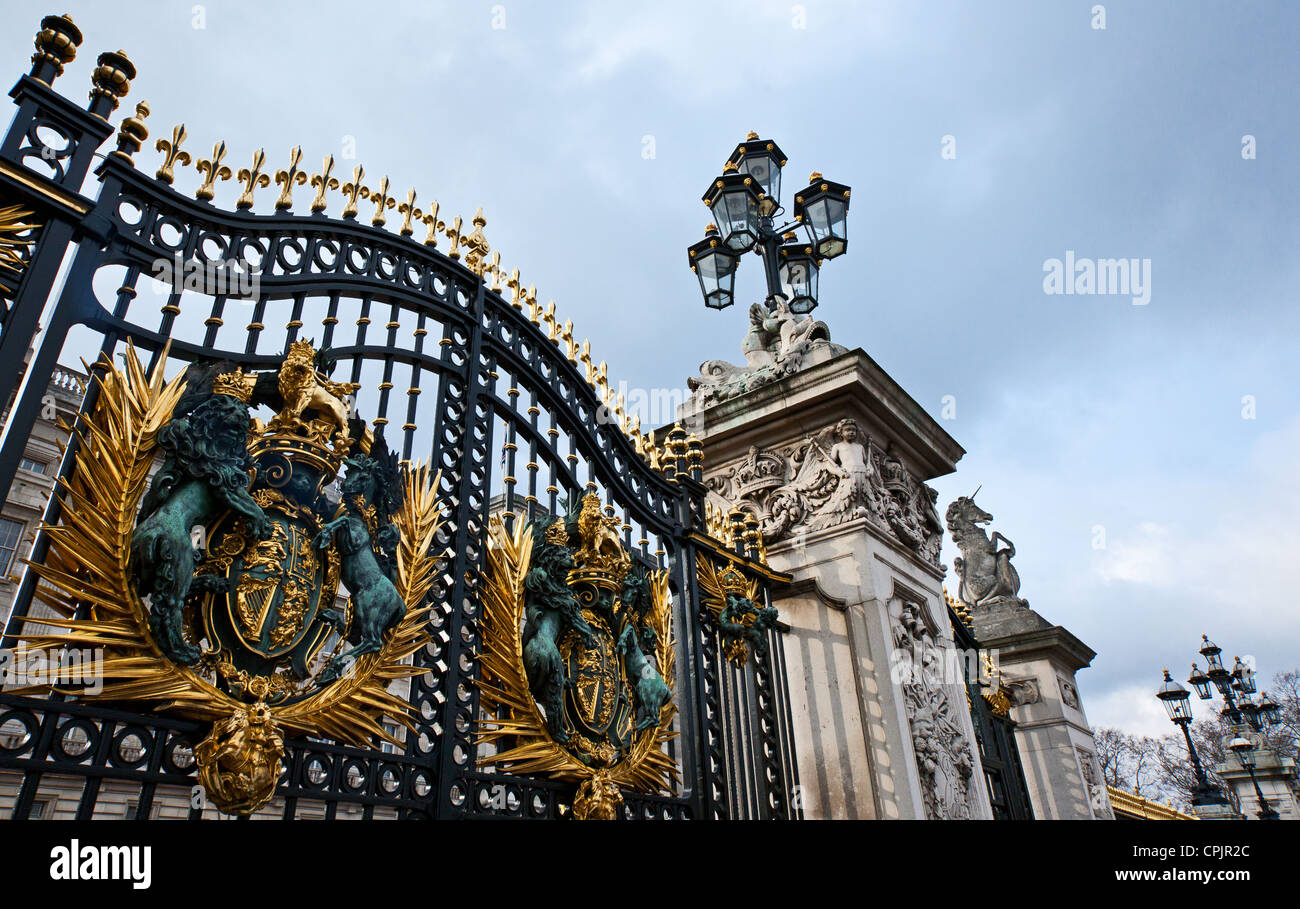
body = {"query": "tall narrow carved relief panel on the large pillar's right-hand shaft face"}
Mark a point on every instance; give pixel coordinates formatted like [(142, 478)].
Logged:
[(944, 756)]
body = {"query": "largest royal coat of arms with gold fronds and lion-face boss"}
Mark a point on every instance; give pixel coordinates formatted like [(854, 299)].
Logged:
[(213, 586)]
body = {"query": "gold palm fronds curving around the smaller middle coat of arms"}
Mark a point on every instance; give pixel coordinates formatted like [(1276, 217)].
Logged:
[(518, 724)]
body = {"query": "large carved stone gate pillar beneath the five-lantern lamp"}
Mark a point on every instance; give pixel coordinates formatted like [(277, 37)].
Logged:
[(831, 456)]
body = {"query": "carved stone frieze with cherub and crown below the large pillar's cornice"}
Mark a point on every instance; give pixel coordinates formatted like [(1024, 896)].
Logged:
[(830, 478)]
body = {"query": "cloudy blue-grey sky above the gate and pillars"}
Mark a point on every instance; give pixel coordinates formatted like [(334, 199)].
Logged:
[(588, 133)]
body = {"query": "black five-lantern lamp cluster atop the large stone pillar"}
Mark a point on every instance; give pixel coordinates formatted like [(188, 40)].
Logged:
[(746, 202)]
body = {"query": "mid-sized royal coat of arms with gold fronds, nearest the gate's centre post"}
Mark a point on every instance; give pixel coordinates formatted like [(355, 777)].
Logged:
[(578, 659)]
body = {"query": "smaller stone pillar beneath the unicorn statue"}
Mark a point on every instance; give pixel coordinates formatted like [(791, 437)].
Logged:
[(1052, 733)]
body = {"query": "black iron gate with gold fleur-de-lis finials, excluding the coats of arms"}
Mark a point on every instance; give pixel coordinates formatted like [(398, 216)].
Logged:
[(499, 397)]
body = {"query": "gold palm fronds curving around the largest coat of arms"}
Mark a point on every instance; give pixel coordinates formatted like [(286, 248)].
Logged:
[(88, 582)]
